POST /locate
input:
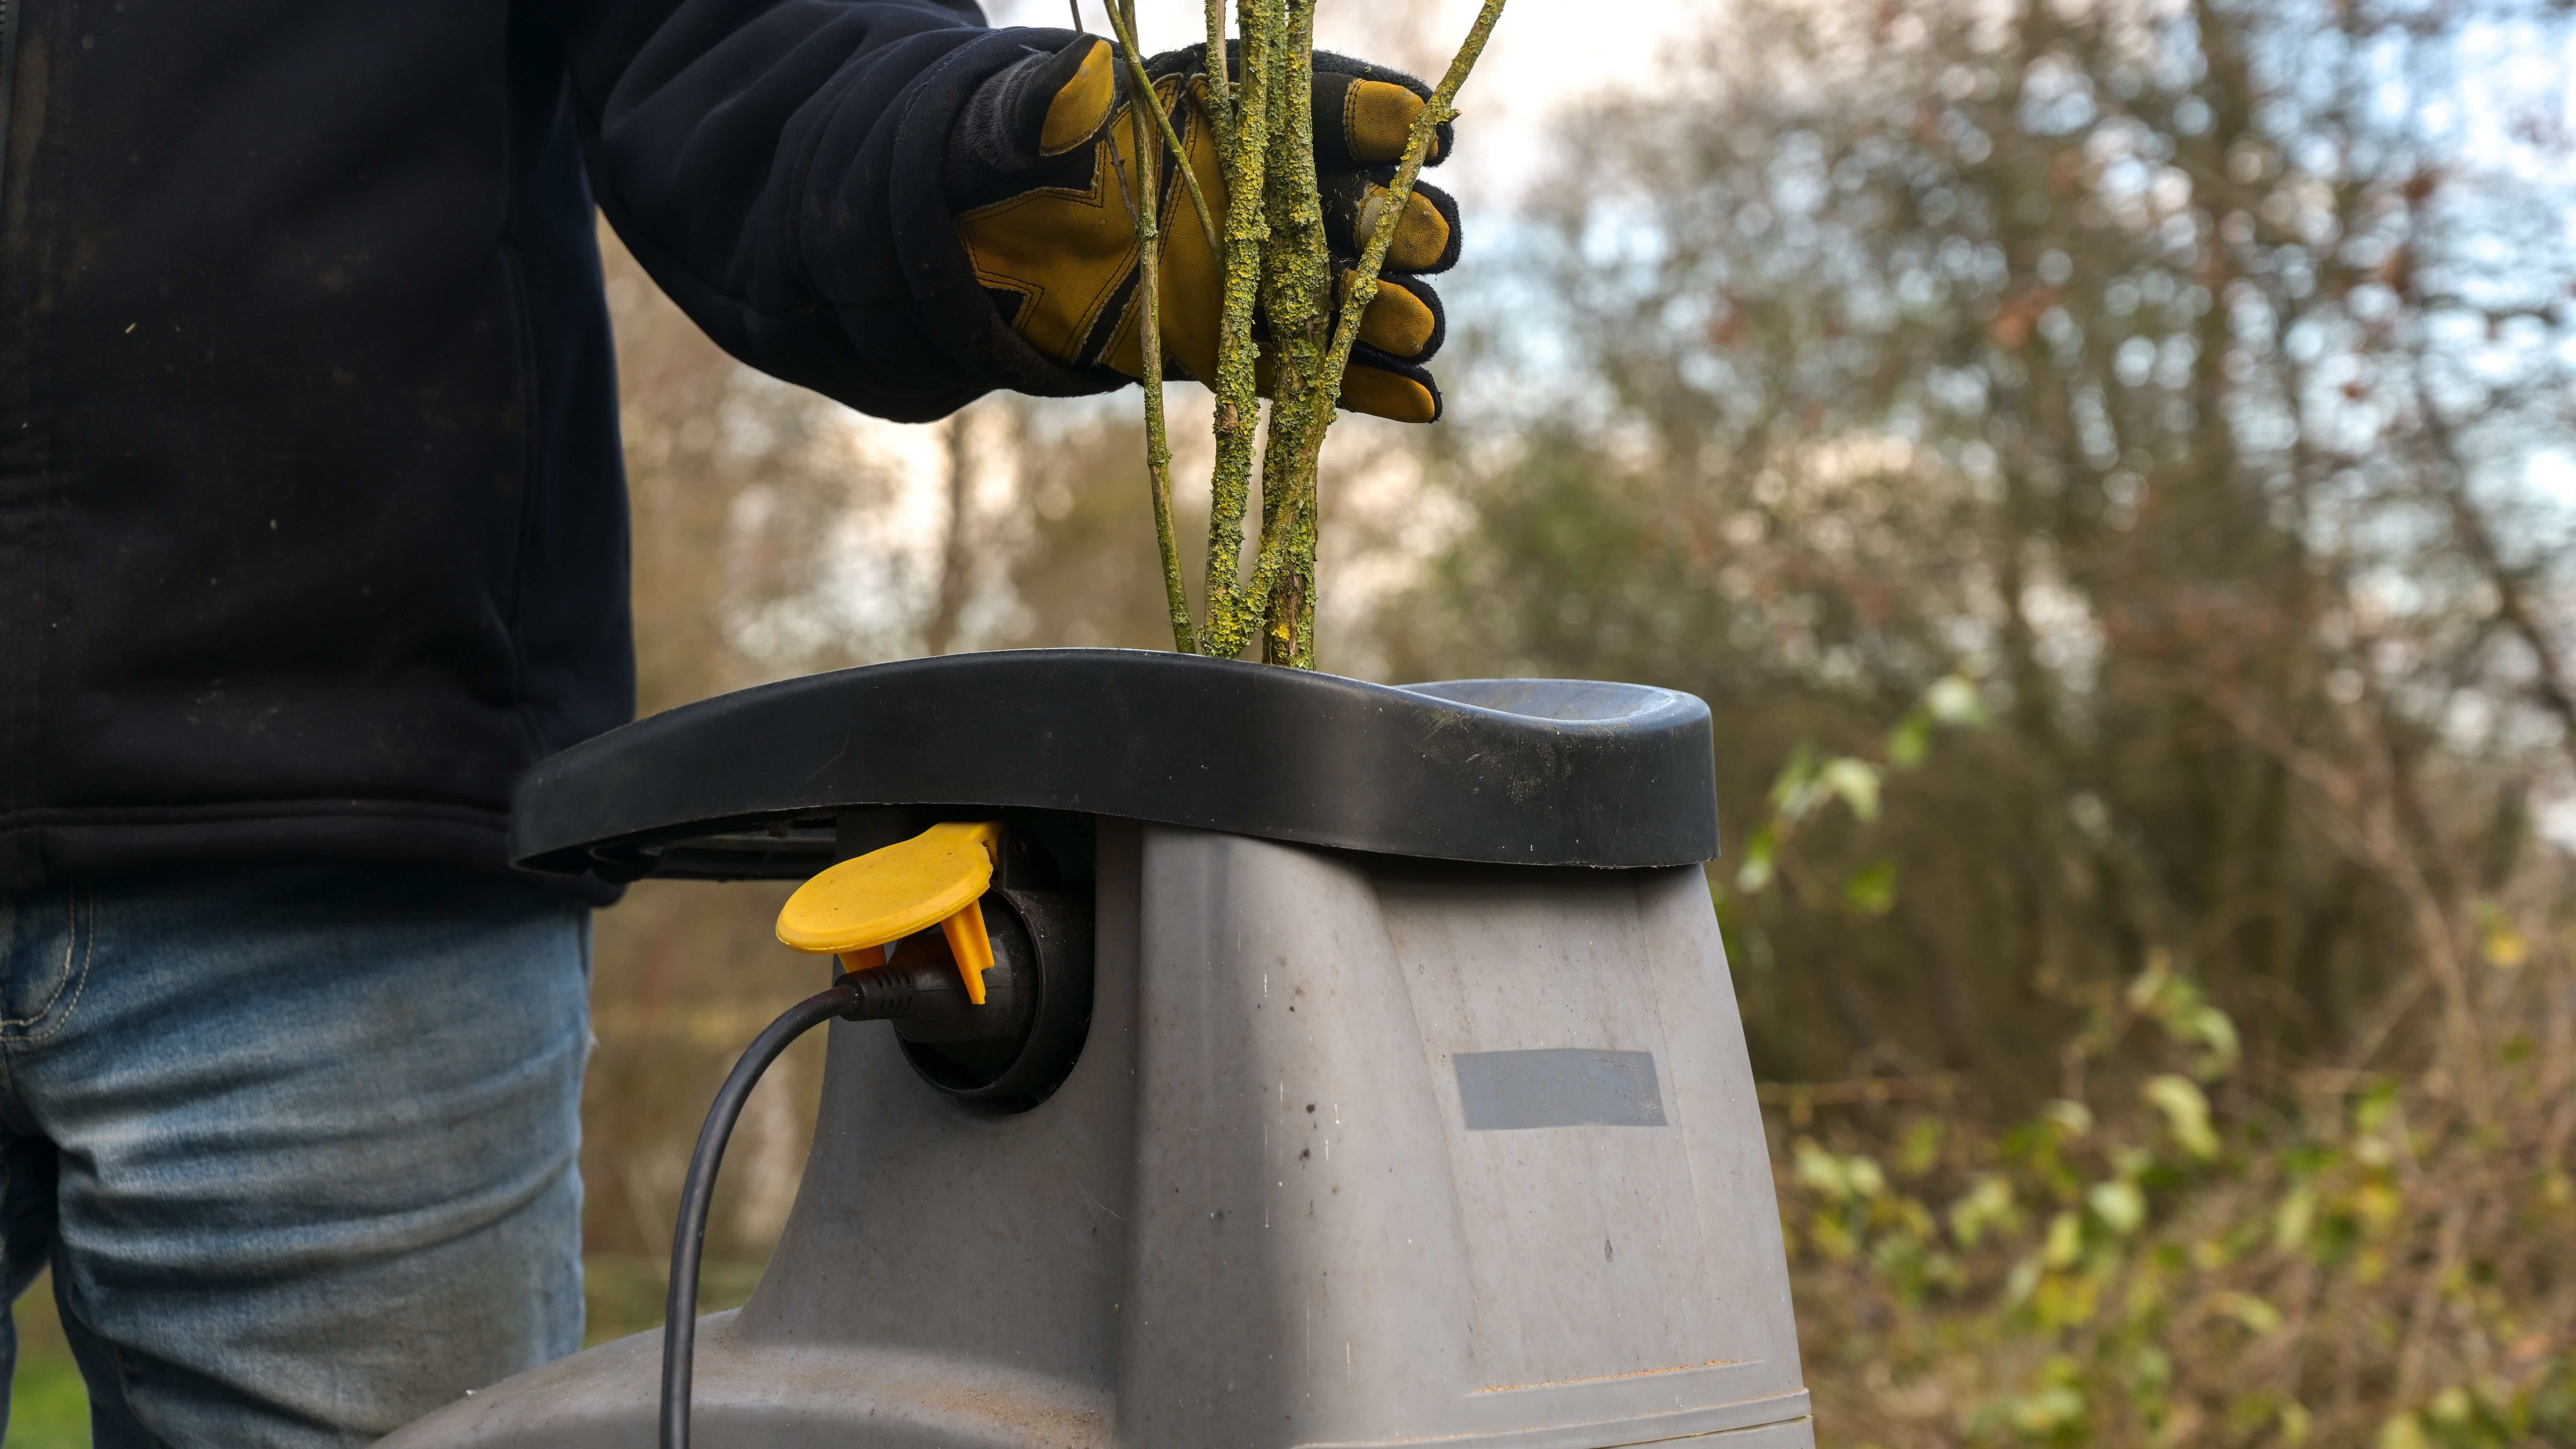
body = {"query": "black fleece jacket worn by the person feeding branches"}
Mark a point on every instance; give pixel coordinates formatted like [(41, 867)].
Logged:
[(313, 529)]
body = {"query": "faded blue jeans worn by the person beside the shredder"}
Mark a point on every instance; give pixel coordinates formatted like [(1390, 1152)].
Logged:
[(298, 1141)]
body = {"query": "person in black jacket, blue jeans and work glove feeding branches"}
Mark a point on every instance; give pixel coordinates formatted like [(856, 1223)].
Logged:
[(313, 542)]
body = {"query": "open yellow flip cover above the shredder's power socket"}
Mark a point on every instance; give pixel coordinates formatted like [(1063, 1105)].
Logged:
[(934, 879)]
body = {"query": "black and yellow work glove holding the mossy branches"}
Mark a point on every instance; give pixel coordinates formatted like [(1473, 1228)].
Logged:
[(1034, 184)]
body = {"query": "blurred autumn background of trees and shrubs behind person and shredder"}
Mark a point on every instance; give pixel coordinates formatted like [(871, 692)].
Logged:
[(2108, 467)]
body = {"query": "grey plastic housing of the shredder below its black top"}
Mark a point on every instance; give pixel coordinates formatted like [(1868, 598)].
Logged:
[(1359, 1152)]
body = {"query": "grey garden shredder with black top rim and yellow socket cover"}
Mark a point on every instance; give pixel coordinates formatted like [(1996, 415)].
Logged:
[(1269, 1062)]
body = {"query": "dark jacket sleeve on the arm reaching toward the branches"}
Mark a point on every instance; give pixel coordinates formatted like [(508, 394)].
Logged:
[(777, 169)]
